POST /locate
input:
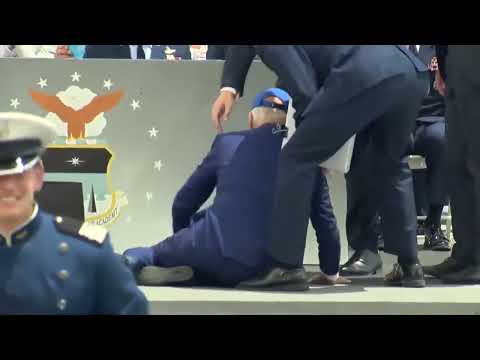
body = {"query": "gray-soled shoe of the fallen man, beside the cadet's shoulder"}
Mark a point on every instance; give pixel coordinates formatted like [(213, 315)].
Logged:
[(158, 276)]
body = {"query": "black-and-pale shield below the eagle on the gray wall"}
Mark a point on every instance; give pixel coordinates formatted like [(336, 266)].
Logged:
[(78, 178)]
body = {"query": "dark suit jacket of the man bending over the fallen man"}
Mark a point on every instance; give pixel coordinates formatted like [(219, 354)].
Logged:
[(304, 69)]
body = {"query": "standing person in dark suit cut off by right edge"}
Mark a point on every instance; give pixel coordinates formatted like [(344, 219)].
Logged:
[(459, 69)]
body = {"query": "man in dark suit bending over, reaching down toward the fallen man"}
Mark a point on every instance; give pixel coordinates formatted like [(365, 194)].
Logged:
[(333, 88)]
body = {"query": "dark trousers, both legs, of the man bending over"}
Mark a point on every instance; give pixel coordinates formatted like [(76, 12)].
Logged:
[(379, 113)]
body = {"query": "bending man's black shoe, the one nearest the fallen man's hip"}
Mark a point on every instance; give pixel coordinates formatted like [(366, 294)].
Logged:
[(278, 279)]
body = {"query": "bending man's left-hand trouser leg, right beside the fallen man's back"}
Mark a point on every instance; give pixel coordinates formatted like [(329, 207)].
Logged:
[(325, 128)]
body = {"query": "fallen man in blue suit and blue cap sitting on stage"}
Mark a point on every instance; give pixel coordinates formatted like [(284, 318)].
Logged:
[(224, 244)]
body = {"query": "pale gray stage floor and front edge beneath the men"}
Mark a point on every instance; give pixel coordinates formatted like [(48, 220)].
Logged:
[(364, 296)]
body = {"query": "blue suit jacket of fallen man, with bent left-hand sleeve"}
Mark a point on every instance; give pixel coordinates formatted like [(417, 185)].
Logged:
[(241, 167)]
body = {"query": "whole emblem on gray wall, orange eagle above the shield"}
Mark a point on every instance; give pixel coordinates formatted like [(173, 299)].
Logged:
[(77, 180)]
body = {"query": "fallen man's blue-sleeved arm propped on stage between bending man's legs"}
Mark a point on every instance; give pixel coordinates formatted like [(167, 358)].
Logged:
[(325, 225)]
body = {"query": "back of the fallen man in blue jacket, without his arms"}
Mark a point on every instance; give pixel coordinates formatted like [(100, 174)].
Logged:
[(244, 195)]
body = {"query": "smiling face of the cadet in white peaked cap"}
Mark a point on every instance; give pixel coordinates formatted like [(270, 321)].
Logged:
[(17, 194)]
